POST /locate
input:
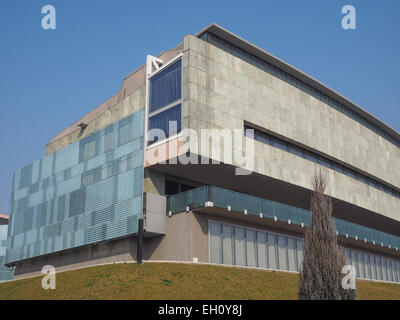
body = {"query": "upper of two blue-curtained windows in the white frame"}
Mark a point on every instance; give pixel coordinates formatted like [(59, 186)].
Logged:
[(165, 86)]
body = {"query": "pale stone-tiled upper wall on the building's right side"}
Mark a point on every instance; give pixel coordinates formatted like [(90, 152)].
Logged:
[(223, 91)]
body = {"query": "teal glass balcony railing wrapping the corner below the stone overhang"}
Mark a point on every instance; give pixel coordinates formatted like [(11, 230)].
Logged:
[(216, 197)]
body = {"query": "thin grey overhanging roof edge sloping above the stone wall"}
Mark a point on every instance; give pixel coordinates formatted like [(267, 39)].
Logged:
[(266, 56)]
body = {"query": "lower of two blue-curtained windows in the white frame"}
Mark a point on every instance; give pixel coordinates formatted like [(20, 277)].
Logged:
[(169, 122)]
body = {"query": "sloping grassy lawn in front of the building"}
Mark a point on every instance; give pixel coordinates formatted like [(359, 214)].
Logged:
[(175, 281)]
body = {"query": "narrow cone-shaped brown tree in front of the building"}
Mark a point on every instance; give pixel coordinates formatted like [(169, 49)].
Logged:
[(321, 273)]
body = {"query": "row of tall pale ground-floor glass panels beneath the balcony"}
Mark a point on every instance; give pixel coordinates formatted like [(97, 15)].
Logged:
[(240, 246)]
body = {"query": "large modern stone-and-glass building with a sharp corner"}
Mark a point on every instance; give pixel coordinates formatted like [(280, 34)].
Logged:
[(237, 194)]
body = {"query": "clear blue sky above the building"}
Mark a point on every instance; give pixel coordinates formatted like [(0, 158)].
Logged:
[(49, 79)]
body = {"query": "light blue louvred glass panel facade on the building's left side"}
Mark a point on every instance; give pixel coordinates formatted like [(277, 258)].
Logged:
[(87, 192)]
